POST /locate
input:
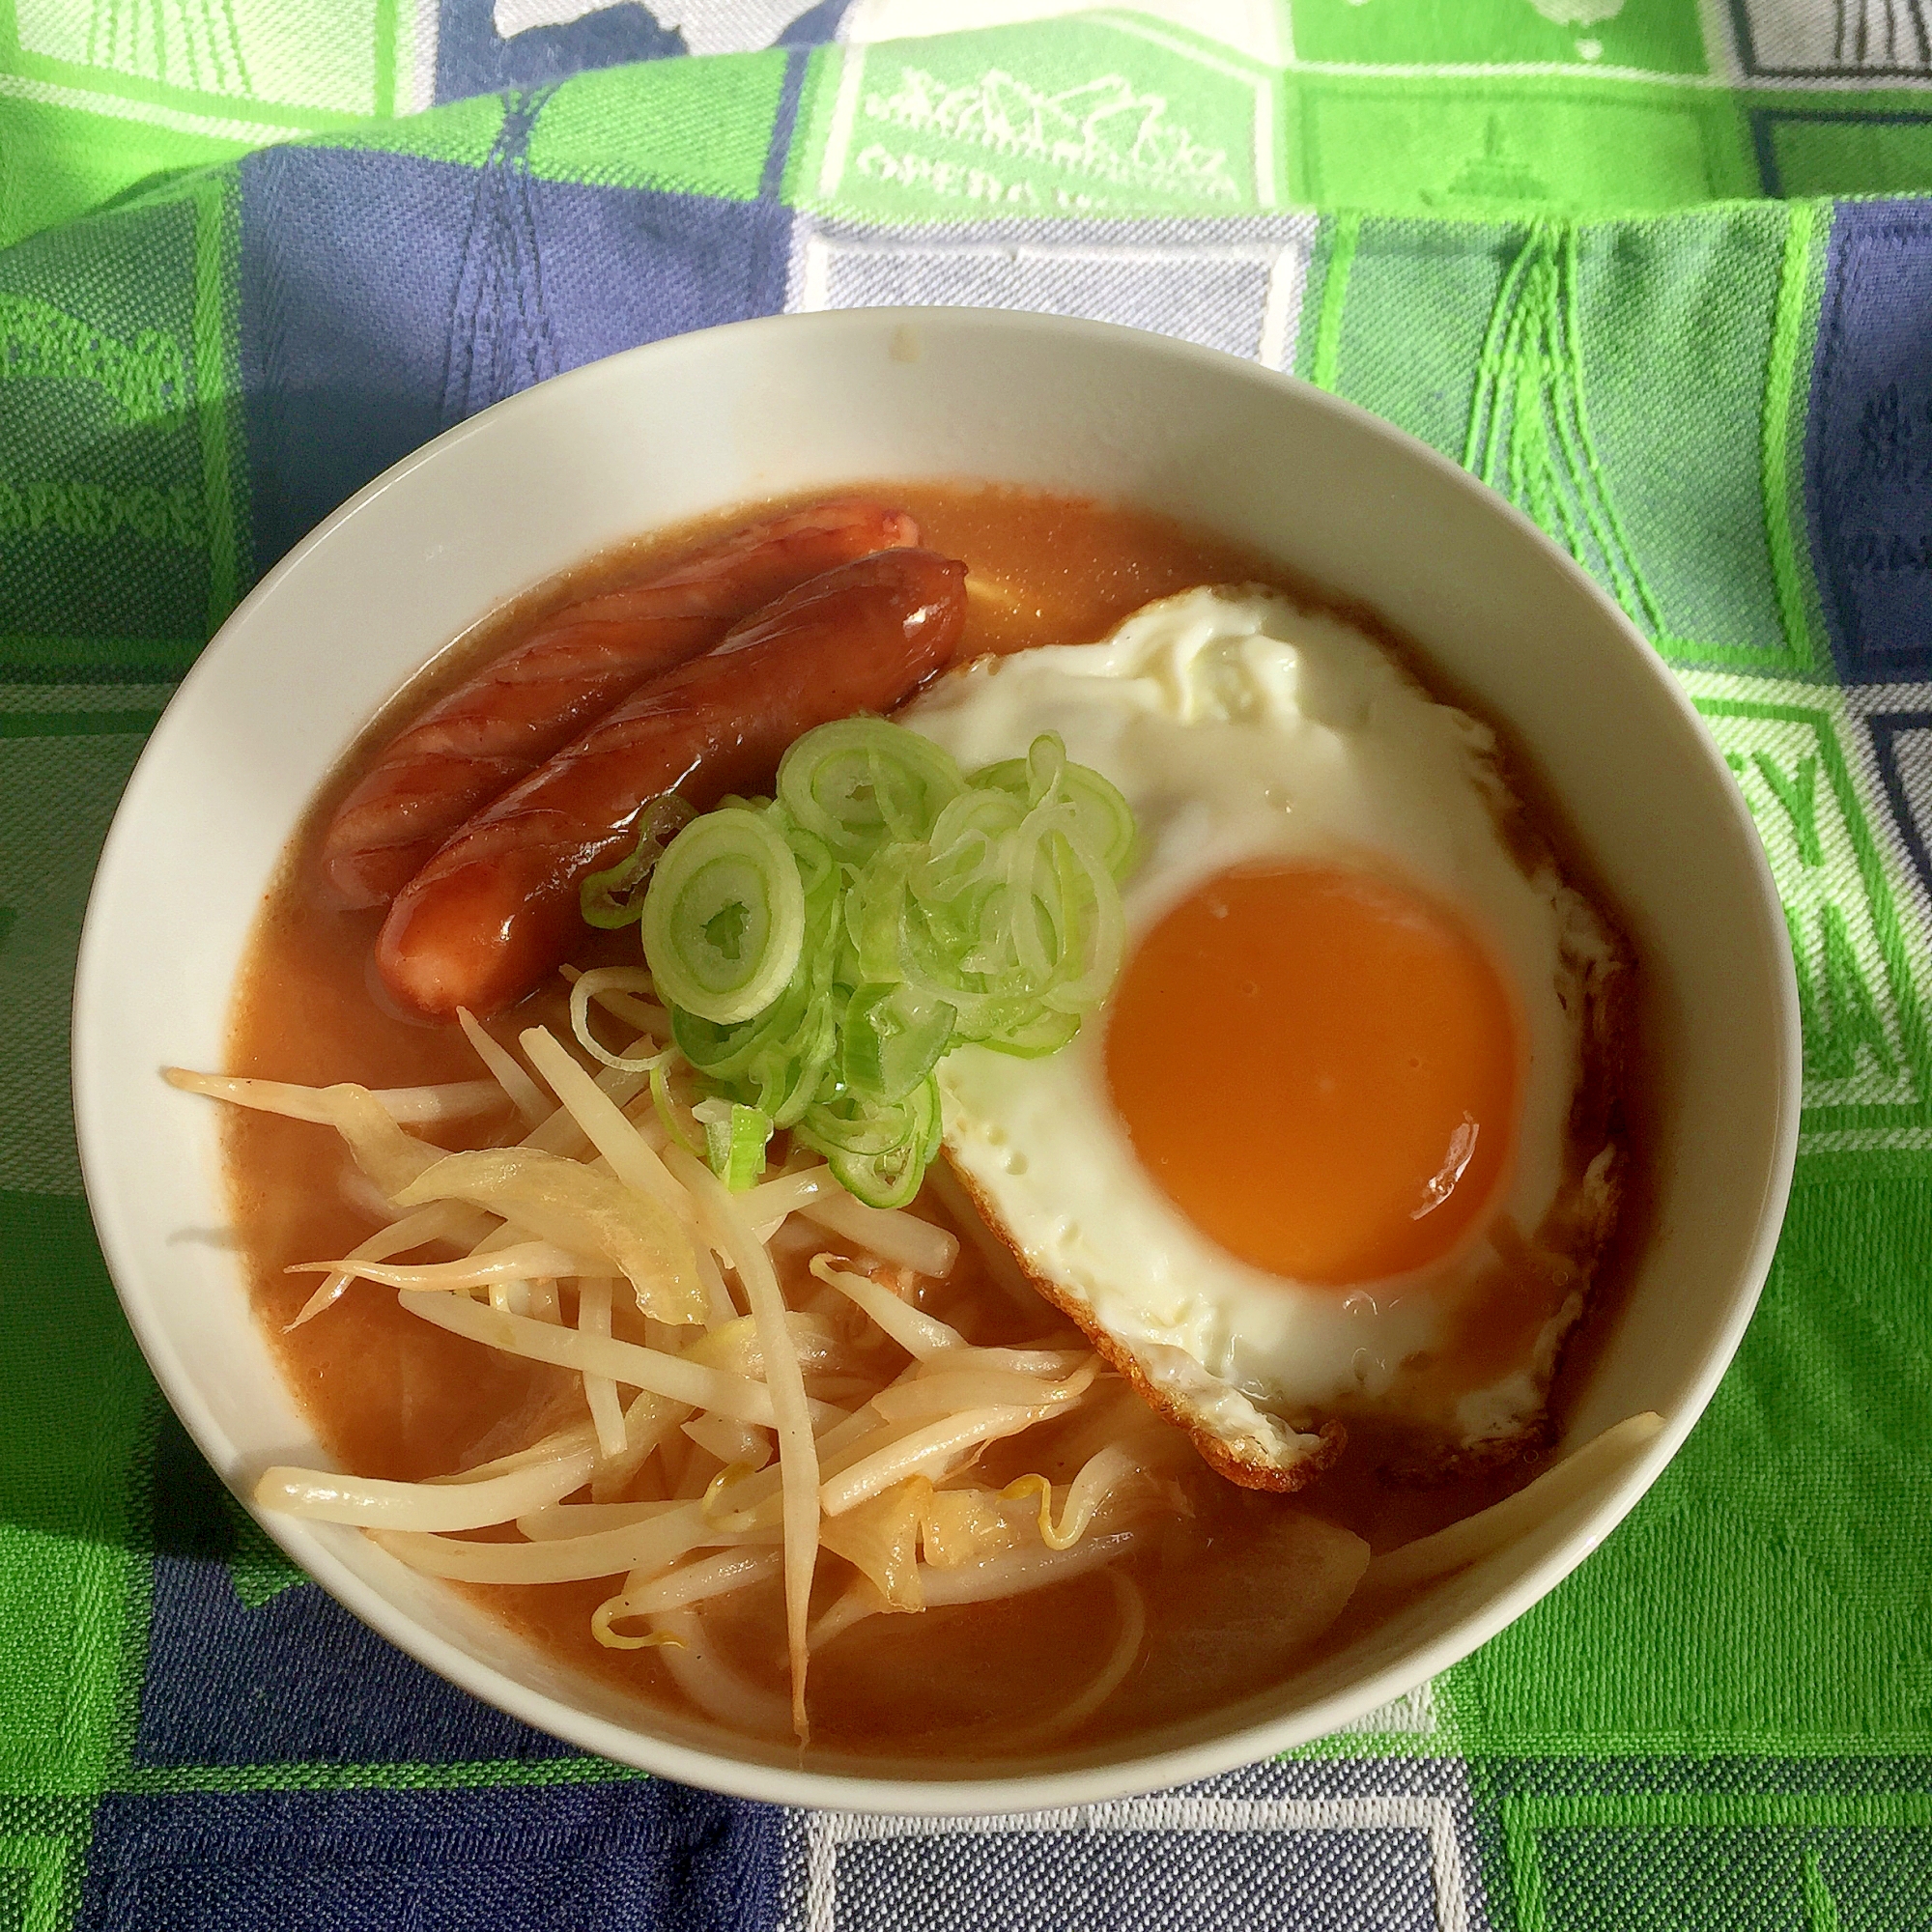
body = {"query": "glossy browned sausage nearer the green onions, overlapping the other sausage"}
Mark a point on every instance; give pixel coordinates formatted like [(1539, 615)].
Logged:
[(497, 907)]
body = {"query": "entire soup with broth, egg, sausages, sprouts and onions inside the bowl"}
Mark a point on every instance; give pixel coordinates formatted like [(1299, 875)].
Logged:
[(783, 1427)]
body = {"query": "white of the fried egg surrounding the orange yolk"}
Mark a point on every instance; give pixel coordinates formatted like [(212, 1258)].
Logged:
[(1241, 727)]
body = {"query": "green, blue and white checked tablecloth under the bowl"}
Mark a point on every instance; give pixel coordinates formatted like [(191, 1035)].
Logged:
[(1651, 268)]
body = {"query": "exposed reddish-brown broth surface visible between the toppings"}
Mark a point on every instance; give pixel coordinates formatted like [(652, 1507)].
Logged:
[(397, 1398)]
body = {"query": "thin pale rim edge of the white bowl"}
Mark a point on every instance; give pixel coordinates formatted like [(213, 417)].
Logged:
[(855, 1792)]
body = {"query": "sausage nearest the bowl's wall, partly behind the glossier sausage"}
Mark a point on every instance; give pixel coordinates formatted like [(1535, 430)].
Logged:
[(503, 724)]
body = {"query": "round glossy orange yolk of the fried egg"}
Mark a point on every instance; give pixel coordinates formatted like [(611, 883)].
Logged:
[(1321, 1067)]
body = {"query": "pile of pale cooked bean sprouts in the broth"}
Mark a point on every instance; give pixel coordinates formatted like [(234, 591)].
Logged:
[(766, 1348)]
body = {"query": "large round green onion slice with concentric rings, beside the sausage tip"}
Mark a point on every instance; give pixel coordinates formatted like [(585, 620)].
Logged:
[(725, 917)]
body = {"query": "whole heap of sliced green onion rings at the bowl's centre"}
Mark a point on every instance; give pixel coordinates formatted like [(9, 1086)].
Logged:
[(824, 952)]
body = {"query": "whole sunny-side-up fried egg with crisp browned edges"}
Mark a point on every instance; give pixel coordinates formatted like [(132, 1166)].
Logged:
[(1322, 1154)]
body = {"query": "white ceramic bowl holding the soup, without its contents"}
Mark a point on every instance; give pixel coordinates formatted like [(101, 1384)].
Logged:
[(803, 403)]
